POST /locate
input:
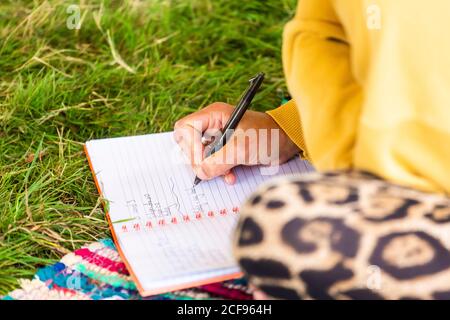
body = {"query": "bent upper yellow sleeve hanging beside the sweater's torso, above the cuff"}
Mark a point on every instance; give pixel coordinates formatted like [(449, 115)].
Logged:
[(316, 61)]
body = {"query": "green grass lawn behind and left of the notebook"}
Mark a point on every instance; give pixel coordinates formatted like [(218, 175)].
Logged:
[(133, 67)]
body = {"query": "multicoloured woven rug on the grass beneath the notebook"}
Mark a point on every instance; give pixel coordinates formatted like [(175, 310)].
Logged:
[(96, 272)]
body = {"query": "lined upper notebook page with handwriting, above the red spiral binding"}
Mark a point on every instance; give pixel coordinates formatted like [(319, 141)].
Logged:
[(152, 185)]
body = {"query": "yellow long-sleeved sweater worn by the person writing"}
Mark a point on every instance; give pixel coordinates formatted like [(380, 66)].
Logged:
[(371, 85)]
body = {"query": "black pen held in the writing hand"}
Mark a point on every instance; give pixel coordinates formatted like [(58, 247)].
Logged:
[(235, 117)]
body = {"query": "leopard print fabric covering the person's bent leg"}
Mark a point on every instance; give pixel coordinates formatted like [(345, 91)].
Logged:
[(345, 235)]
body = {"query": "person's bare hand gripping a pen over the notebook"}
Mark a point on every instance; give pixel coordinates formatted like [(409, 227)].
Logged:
[(245, 146)]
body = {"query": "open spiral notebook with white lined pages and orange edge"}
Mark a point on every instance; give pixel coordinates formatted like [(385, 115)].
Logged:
[(170, 235)]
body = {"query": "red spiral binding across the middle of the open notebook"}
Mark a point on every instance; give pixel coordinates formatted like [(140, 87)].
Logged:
[(152, 223)]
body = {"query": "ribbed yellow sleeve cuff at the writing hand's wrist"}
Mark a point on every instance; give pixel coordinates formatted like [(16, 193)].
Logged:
[(288, 118)]
